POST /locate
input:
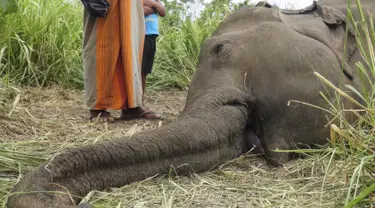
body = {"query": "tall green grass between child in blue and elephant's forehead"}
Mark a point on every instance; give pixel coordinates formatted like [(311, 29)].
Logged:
[(179, 44)]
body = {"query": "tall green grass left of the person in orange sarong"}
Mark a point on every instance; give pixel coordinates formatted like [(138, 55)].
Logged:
[(42, 42)]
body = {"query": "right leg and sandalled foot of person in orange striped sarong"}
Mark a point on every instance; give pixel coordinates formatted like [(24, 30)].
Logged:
[(132, 44)]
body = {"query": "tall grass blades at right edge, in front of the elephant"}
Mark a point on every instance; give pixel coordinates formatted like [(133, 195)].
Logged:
[(360, 137)]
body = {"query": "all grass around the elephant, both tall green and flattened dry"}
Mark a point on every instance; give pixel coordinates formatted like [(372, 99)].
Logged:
[(41, 47)]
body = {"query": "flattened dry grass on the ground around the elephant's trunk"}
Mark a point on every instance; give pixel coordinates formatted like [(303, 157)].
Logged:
[(47, 121)]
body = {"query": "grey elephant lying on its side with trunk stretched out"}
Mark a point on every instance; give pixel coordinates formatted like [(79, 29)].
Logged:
[(254, 63)]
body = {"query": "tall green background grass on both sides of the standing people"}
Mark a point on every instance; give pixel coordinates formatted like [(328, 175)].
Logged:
[(43, 40)]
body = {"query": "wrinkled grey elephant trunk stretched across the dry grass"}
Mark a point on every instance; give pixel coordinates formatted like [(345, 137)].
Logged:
[(199, 140)]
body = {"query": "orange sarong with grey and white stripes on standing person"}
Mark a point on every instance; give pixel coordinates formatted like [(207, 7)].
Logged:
[(112, 56)]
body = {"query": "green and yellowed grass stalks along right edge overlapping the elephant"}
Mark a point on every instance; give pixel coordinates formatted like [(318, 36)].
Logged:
[(355, 142)]
